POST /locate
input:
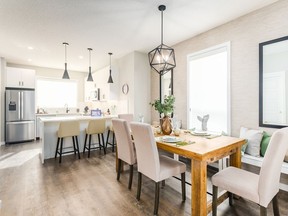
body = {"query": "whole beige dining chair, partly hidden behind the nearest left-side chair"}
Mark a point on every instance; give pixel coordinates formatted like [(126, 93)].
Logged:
[(125, 147)]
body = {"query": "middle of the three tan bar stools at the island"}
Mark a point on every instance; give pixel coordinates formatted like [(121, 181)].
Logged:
[(96, 126)]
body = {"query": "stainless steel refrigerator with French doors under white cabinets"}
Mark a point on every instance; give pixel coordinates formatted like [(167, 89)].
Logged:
[(19, 115)]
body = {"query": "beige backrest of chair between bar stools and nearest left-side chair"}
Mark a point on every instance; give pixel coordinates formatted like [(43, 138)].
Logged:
[(125, 145)]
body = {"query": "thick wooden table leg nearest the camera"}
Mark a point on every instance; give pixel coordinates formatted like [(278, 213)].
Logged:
[(199, 188)]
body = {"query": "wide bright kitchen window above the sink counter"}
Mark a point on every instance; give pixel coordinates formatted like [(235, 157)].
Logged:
[(56, 93)]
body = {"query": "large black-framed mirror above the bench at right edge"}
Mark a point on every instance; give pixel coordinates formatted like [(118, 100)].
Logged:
[(273, 83)]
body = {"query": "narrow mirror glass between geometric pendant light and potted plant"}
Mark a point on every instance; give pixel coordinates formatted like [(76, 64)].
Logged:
[(166, 84)]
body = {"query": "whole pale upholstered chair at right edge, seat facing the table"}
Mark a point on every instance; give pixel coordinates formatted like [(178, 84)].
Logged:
[(261, 188)]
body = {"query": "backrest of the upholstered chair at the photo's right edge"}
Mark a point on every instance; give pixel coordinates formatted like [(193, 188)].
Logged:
[(271, 167)]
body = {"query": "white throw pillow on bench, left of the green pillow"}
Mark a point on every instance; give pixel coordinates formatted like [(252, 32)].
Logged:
[(254, 138)]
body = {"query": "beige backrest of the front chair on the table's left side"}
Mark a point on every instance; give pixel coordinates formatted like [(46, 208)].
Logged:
[(146, 150)]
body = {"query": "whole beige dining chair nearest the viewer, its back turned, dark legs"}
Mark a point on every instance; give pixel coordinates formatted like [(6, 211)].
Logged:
[(155, 167)]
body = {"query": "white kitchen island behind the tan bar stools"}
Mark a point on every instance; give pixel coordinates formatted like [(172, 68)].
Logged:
[(48, 133)]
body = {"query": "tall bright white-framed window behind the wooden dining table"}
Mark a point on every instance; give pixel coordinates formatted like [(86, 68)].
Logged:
[(208, 88)]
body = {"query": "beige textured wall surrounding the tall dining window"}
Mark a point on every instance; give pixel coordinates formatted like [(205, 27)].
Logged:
[(245, 34)]
